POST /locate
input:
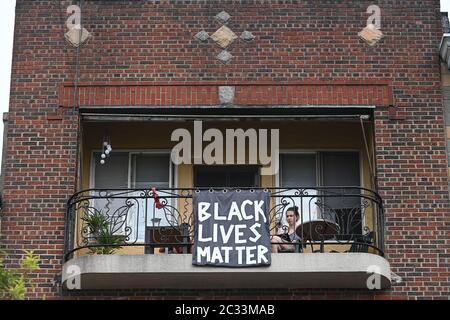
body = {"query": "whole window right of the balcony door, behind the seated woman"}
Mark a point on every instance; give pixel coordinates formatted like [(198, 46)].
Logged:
[(324, 169)]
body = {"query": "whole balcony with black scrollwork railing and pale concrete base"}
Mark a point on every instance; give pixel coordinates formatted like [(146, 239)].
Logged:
[(150, 235)]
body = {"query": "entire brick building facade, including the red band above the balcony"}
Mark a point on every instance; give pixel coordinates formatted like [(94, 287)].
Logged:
[(147, 58)]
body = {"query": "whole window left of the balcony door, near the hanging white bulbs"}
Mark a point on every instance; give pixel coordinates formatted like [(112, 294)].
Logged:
[(134, 170)]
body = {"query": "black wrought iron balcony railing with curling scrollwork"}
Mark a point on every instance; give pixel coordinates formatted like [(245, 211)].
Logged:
[(331, 219)]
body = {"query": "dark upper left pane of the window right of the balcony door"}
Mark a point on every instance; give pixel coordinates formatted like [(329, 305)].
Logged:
[(298, 170)]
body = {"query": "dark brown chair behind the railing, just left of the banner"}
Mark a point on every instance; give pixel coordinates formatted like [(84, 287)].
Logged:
[(167, 237)]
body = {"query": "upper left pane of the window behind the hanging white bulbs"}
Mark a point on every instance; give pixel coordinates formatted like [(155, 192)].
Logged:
[(113, 174)]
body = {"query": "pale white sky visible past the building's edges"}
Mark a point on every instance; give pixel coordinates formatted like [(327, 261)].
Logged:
[(7, 30)]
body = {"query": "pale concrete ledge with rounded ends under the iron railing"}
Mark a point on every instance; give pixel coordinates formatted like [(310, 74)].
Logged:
[(175, 271)]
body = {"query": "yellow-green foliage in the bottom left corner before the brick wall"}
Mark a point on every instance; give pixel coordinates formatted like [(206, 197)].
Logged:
[(13, 282)]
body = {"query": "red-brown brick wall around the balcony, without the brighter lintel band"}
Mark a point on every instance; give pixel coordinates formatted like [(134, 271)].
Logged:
[(299, 45)]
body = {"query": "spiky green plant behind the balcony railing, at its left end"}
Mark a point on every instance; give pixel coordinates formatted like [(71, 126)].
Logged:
[(100, 233)]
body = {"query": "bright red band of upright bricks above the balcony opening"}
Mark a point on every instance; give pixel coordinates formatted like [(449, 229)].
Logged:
[(205, 93)]
